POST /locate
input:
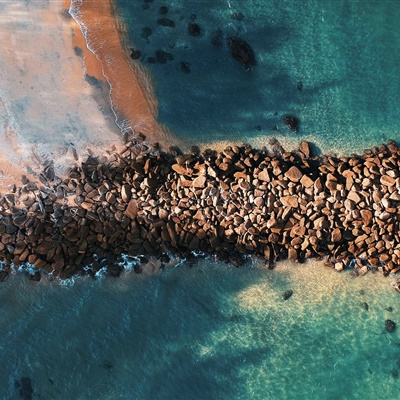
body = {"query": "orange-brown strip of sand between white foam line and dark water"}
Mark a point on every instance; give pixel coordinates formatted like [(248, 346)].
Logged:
[(133, 102)]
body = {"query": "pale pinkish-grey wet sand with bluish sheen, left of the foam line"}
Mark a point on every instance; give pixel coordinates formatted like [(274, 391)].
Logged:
[(48, 106)]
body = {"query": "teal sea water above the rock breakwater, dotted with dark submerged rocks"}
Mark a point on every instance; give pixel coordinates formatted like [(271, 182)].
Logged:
[(345, 53)]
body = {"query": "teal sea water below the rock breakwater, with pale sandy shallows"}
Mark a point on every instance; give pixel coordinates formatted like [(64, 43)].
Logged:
[(207, 332)]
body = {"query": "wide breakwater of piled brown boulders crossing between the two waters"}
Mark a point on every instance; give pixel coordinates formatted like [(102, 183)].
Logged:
[(269, 203)]
